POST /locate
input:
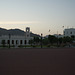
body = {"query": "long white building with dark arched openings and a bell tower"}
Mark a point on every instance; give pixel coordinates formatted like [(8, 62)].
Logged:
[(16, 40)]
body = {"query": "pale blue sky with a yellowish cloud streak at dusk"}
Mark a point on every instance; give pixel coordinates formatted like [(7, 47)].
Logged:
[(40, 15)]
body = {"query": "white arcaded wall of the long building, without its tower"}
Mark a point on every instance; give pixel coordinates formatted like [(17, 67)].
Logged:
[(18, 38)]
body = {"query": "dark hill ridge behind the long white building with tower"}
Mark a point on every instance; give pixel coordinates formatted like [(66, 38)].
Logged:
[(15, 32)]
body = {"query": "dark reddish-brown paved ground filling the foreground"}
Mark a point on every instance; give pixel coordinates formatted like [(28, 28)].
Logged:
[(37, 61)]
